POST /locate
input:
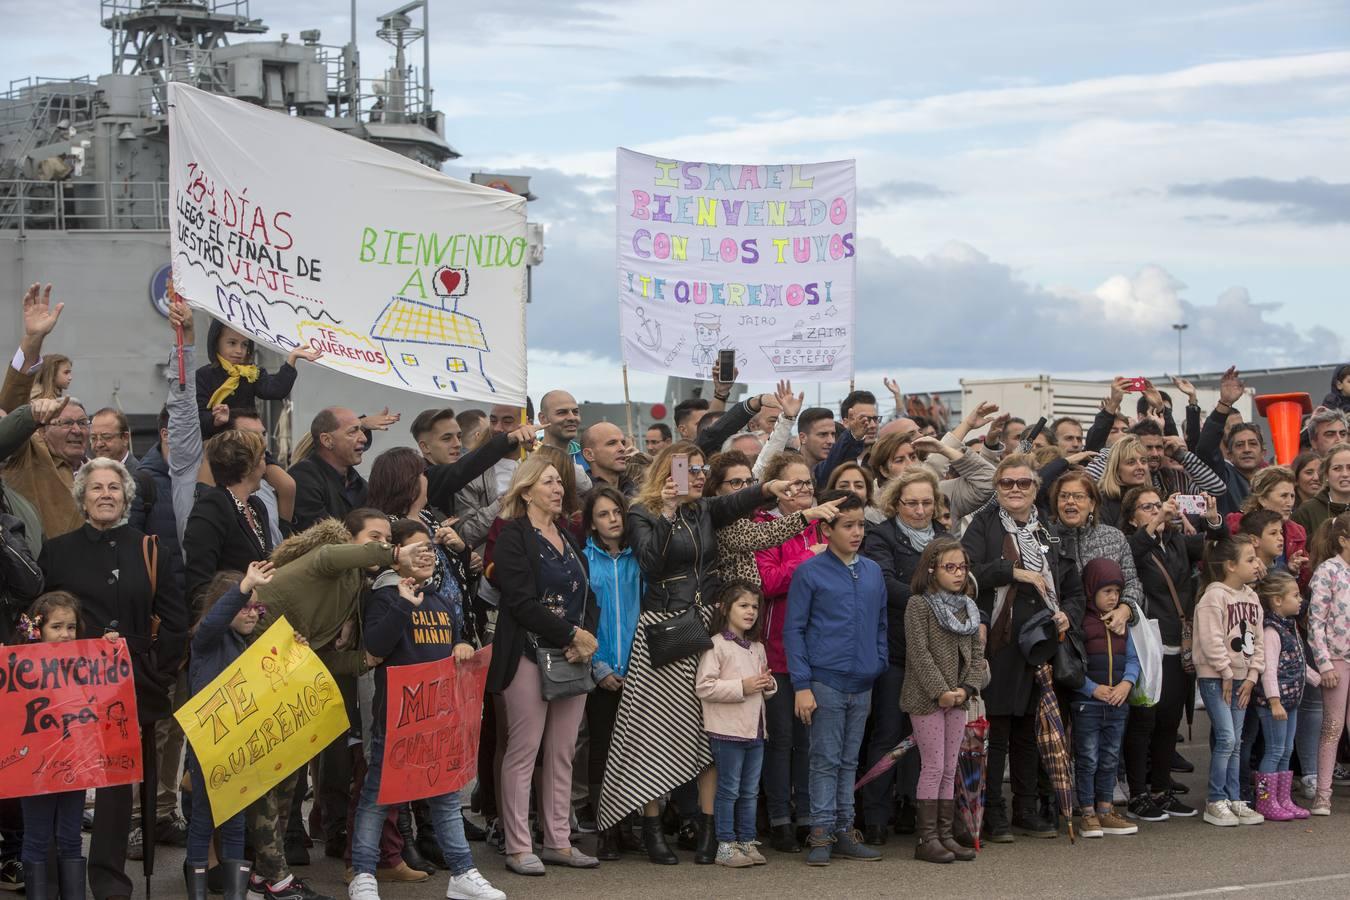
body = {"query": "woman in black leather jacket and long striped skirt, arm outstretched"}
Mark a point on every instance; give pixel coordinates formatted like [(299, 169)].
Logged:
[(658, 741)]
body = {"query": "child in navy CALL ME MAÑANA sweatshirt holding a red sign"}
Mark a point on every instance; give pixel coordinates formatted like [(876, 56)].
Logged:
[(407, 623)]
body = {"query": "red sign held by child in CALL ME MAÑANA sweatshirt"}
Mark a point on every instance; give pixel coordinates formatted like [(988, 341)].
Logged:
[(433, 721)]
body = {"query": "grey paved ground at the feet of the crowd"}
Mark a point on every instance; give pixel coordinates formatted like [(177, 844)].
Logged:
[(1178, 859)]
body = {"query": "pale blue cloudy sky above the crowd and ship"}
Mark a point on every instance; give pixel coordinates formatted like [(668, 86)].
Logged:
[(1043, 187)]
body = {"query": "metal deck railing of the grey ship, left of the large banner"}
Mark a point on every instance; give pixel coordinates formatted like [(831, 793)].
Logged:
[(84, 206)]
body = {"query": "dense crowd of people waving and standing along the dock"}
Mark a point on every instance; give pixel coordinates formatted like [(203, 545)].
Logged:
[(765, 600)]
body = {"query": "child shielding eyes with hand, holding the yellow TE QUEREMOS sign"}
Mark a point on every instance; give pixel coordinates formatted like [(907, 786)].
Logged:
[(230, 615)]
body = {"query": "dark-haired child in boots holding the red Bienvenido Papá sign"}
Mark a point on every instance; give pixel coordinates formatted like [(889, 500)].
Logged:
[(55, 619)]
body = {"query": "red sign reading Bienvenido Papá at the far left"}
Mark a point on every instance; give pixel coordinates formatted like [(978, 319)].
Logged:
[(71, 719)]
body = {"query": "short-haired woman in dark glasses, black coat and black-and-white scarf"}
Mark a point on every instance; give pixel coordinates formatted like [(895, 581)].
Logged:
[(1020, 570)]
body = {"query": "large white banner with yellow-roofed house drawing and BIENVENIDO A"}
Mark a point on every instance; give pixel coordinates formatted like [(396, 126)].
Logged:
[(298, 235)]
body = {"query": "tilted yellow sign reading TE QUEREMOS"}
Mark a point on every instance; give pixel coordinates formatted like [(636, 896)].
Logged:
[(268, 714)]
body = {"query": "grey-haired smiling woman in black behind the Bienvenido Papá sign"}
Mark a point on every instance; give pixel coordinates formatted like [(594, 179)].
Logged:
[(125, 585)]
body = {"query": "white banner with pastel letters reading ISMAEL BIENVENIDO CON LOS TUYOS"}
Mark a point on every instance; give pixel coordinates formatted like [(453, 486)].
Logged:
[(758, 260)]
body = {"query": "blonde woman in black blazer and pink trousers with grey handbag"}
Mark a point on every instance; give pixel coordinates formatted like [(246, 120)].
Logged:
[(546, 604)]
